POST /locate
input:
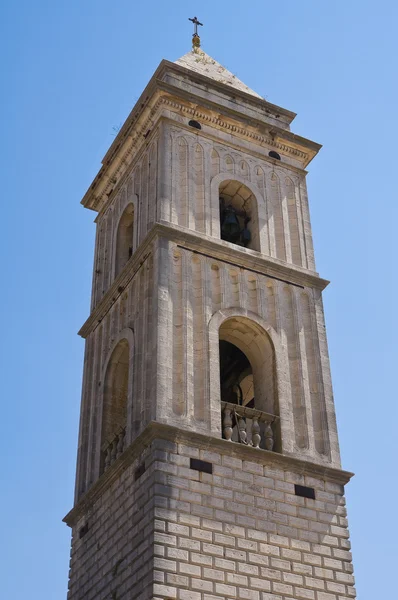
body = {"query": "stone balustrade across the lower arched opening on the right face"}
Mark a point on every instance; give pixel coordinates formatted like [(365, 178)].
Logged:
[(247, 426)]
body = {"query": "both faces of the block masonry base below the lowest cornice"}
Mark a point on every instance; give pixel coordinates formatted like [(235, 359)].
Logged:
[(238, 533)]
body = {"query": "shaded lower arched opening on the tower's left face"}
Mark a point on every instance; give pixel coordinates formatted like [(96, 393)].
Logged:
[(114, 410)]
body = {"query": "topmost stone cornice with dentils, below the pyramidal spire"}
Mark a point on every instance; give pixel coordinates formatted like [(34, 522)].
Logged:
[(165, 91)]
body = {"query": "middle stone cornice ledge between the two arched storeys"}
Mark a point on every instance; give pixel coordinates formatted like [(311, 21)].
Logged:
[(207, 246)]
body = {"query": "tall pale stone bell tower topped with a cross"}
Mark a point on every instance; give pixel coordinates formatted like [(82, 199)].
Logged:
[(208, 462)]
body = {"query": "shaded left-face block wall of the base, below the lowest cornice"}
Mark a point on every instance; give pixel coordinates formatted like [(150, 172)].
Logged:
[(113, 560)]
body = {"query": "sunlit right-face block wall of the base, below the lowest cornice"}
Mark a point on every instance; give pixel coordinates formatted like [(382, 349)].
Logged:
[(241, 532)]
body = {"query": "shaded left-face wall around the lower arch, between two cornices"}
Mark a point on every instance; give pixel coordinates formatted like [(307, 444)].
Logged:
[(130, 317)]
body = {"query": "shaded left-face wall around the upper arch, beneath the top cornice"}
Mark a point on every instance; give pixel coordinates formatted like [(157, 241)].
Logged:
[(139, 188)]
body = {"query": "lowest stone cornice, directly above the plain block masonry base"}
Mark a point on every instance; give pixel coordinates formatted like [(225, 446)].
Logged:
[(162, 431)]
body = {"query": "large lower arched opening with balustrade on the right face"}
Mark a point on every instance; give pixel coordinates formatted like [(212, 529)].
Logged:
[(248, 384)]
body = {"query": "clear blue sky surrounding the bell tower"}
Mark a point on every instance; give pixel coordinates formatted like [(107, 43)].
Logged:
[(71, 72)]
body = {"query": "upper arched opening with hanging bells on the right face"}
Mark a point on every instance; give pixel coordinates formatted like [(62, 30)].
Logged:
[(238, 215)]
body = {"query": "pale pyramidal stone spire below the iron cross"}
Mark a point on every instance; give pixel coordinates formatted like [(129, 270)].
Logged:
[(200, 62)]
